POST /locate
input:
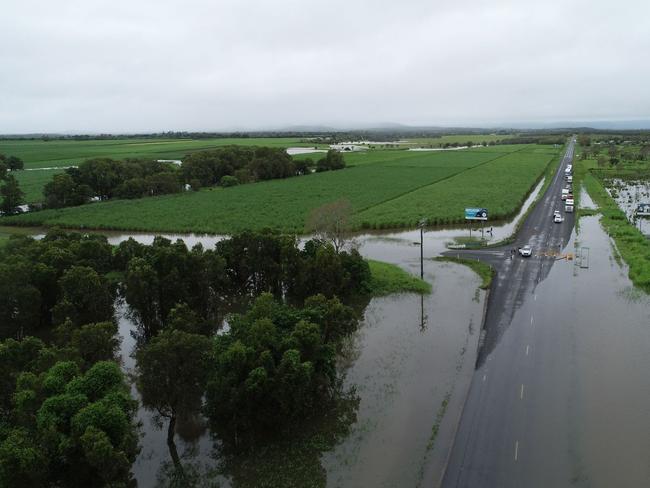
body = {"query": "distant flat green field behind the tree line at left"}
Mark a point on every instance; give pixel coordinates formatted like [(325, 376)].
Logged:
[(55, 153)]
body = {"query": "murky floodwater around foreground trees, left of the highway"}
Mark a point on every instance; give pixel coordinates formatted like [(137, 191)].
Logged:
[(408, 356)]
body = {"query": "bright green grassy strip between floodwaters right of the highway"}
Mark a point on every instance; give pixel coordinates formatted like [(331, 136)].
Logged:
[(632, 245)]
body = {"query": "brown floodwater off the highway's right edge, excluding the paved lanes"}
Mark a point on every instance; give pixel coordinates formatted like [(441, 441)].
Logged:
[(611, 320)]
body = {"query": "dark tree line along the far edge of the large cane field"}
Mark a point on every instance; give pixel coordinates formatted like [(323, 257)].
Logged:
[(105, 178)]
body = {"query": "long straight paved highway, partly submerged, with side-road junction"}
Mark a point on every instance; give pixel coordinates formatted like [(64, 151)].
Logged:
[(507, 436)]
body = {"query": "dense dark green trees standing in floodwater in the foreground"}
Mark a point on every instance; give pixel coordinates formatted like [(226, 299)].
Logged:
[(66, 417)]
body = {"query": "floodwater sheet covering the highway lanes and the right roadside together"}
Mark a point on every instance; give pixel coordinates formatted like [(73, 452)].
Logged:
[(582, 419)]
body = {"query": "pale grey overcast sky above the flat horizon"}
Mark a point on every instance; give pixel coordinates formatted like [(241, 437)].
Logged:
[(151, 65)]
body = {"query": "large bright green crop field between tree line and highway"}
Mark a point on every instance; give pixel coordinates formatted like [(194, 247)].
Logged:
[(391, 192)]
